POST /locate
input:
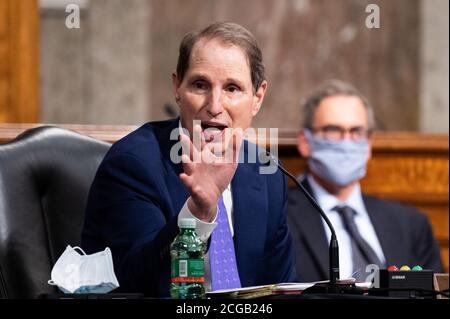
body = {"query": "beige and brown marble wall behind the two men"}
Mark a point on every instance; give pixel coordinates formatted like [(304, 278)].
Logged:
[(116, 68)]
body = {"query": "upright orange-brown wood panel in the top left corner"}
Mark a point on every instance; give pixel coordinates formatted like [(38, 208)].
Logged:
[(19, 61)]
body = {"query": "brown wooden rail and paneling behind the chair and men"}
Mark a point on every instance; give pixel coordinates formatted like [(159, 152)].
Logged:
[(411, 168)]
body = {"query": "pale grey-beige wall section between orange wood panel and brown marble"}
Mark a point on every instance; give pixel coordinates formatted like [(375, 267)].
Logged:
[(99, 73)]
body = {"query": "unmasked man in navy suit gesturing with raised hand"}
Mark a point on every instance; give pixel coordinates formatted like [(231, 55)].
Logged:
[(139, 193)]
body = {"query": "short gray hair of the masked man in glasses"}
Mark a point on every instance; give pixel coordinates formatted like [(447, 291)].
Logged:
[(328, 89)]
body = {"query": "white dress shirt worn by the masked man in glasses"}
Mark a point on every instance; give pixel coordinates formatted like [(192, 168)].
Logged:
[(327, 202)]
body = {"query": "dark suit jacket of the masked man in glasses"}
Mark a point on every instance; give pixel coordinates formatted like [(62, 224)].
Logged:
[(404, 234)]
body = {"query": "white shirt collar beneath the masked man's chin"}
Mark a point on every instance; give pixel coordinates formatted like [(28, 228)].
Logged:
[(328, 201)]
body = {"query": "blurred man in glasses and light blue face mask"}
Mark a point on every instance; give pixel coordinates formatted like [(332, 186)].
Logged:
[(336, 141)]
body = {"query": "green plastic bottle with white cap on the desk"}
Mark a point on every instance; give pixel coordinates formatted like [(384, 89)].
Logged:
[(188, 268)]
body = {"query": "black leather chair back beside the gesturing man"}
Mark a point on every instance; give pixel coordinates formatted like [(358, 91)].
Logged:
[(45, 176)]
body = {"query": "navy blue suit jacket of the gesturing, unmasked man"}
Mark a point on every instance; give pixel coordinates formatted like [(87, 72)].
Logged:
[(135, 199)]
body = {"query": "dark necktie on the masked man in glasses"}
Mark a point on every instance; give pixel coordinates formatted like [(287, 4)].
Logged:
[(362, 253)]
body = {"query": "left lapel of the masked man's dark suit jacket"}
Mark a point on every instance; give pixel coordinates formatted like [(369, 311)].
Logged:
[(312, 226)]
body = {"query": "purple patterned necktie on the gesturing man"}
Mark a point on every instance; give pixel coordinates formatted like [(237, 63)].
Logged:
[(224, 273)]
